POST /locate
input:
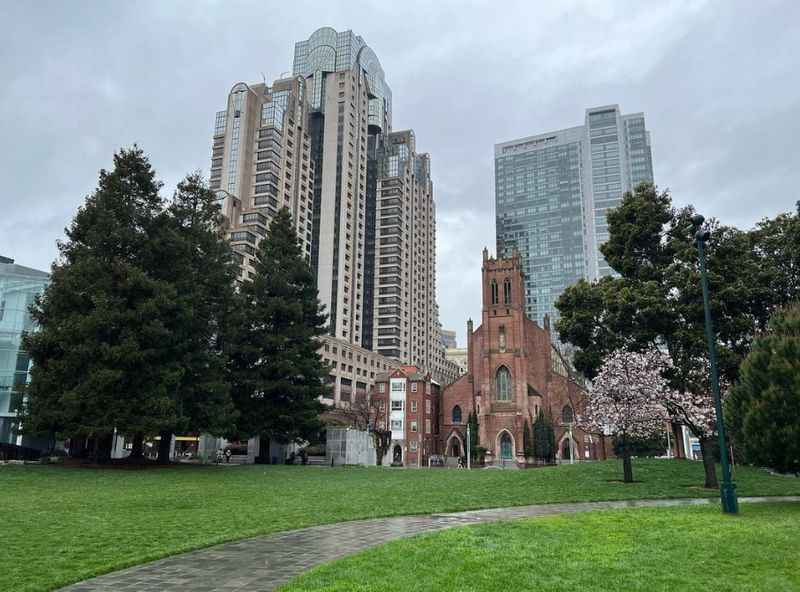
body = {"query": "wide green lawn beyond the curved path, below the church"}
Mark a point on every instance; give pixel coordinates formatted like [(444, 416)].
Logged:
[(63, 525)]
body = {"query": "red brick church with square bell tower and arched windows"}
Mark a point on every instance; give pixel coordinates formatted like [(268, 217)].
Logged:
[(513, 371)]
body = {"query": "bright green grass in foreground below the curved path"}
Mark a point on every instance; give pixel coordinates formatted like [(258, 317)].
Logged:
[(654, 549)]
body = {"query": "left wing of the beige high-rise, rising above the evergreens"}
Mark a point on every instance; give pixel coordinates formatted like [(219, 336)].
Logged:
[(261, 162)]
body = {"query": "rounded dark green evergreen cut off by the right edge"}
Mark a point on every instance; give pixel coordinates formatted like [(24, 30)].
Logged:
[(763, 410)]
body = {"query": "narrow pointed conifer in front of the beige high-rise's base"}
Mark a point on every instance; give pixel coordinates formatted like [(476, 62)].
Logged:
[(278, 376)]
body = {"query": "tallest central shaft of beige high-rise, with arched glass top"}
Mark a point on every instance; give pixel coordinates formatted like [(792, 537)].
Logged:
[(350, 105)]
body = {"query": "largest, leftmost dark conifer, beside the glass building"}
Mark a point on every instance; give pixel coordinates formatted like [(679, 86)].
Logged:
[(101, 355)]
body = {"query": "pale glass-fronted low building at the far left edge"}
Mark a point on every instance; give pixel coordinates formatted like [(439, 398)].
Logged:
[(19, 286)]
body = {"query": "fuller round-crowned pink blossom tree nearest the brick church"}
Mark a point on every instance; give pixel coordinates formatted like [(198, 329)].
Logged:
[(625, 400)]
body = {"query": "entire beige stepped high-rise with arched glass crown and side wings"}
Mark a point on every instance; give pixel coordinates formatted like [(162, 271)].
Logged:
[(320, 143)]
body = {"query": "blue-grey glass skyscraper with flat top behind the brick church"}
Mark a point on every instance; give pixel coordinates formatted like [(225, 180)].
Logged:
[(552, 192)]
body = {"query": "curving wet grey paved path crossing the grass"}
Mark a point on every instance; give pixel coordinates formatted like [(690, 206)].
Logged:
[(264, 563)]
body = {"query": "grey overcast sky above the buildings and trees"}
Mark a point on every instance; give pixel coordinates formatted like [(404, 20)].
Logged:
[(719, 84)]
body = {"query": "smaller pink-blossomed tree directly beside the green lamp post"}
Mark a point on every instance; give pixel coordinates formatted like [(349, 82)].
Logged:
[(693, 406)]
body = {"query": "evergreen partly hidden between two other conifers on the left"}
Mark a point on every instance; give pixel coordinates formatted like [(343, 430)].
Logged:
[(195, 257)]
